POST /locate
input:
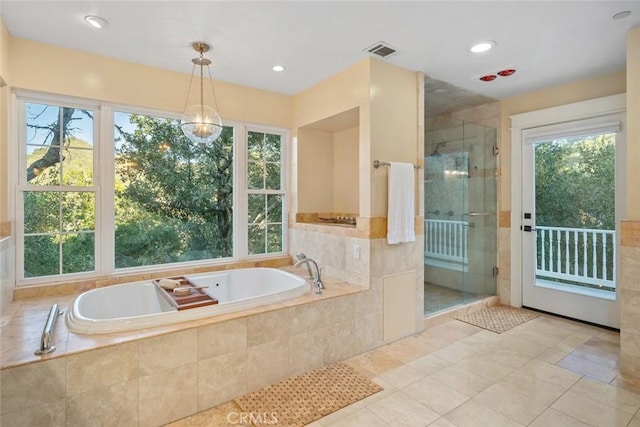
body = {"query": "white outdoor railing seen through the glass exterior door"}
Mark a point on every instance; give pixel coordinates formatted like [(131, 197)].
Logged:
[(576, 255)]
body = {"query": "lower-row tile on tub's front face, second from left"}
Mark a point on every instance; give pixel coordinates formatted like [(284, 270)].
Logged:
[(115, 405)]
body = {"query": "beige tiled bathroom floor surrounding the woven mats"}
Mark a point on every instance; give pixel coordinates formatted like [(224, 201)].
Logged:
[(547, 372)]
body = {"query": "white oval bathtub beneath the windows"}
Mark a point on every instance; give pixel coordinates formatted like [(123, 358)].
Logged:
[(140, 305)]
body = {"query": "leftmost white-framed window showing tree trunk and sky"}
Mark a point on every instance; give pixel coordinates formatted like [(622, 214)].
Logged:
[(58, 192)]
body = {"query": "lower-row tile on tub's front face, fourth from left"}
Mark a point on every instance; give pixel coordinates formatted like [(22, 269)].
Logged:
[(221, 378)]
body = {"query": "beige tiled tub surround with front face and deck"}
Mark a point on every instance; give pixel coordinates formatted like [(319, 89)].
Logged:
[(153, 376)]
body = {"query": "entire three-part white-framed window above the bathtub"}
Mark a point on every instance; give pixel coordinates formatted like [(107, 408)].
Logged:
[(162, 200)]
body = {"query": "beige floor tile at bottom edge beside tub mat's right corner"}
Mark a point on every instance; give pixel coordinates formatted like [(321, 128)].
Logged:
[(401, 410)]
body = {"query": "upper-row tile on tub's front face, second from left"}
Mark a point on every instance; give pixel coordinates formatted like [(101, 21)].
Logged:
[(99, 368)]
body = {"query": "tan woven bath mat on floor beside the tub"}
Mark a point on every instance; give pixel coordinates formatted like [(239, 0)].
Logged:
[(305, 398)]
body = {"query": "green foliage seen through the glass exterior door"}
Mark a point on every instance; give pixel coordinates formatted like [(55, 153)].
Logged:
[(575, 183)]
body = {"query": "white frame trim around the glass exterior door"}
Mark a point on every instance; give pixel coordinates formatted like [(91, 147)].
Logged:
[(524, 126)]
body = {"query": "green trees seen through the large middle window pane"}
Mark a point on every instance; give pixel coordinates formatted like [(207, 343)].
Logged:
[(174, 200)]
